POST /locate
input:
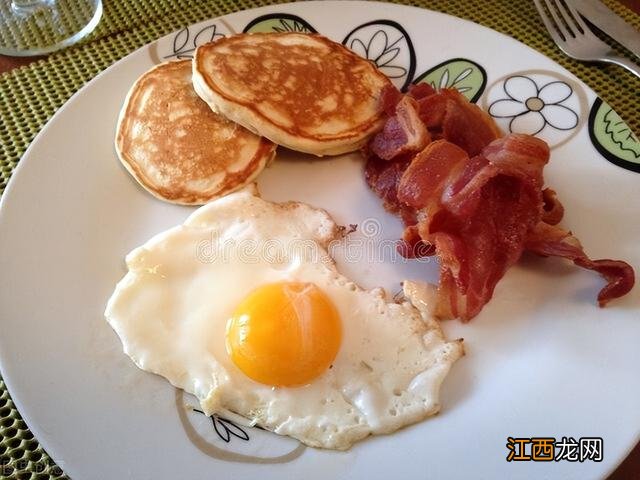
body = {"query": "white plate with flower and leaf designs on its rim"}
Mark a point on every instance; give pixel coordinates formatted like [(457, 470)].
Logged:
[(542, 359)]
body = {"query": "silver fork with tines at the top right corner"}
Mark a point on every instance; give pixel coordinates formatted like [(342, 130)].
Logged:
[(574, 37)]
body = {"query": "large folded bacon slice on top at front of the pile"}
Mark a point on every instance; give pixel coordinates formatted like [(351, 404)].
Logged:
[(476, 212)]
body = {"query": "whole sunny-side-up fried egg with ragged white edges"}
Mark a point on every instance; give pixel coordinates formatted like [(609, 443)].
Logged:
[(278, 336)]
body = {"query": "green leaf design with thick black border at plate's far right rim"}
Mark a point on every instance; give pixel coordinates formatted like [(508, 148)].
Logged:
[(612, 137)]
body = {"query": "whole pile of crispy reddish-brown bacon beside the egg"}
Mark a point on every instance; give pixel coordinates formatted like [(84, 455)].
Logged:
[(475, 200)]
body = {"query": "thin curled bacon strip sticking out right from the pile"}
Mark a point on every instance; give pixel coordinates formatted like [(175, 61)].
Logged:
[(551, 241)]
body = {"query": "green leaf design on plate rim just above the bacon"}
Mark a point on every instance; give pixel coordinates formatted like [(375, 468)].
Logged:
[(466, 76)]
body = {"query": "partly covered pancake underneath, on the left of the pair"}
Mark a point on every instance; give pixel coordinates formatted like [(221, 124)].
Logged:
[(177, 148)]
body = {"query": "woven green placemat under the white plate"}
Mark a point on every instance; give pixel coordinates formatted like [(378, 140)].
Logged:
[(30, 95)]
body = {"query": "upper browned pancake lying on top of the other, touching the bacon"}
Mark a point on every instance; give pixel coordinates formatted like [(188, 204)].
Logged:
[(302, 91)]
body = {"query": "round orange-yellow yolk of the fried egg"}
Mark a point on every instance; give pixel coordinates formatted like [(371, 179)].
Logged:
[(284, 334)]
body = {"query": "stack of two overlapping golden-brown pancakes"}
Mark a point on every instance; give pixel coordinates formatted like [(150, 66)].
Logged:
[(193, 131)]
